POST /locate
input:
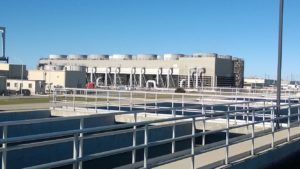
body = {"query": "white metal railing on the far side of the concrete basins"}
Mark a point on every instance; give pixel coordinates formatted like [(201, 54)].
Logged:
[(94, 98)]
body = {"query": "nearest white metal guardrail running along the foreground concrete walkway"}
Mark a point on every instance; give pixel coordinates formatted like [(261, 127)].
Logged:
[(78, 136)]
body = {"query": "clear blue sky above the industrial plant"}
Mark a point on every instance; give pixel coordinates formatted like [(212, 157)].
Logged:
[(242, 28)]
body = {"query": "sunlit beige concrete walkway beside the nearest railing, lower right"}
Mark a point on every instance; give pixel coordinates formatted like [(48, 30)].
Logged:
[(218, 155)]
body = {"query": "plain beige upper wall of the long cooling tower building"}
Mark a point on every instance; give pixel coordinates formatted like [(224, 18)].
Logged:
[(214, 66)]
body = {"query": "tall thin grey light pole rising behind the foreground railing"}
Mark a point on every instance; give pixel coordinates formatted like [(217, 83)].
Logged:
[(279, 64)]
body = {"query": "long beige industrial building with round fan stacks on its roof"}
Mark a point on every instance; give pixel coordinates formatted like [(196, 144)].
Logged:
[(151, 70)]
